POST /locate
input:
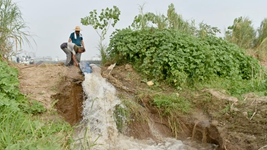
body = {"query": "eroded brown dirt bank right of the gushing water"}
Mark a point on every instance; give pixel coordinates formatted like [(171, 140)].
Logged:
[(216, 118)]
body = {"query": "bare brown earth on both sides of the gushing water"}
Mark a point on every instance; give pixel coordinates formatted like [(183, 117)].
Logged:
[(216, 117)]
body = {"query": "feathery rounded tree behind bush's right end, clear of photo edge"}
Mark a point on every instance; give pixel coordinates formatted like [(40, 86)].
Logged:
[(241, 33)]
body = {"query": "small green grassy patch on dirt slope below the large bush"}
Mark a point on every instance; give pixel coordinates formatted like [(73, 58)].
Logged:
[(172, 102)]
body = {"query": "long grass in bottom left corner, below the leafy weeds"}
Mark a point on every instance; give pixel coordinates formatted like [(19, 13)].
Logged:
[(21, 131)]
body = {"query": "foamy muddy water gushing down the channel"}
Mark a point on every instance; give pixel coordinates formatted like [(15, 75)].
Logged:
[(99, 130)]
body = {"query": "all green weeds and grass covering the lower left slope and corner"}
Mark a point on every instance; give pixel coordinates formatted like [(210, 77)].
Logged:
[(19, 130)]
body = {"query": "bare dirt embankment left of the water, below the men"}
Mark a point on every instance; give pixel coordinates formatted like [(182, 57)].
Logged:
[(56, 87)]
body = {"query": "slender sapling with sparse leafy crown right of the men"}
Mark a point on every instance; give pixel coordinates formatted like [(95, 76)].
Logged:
[(108, 17)]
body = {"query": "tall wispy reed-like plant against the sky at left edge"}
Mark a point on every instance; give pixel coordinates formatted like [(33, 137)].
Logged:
[(12, 28)]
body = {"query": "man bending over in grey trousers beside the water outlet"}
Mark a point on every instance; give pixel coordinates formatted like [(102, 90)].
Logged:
[(72, 52)]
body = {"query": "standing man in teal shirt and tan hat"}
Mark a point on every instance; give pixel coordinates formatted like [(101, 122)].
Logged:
[(76, 38)]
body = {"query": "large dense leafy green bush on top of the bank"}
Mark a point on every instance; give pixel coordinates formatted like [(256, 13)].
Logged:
[(179, 58)]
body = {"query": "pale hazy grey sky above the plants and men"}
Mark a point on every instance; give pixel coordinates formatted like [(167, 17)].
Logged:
[(50, 22)]
